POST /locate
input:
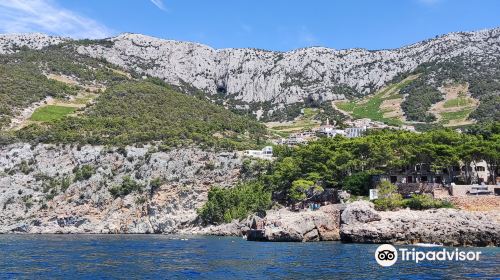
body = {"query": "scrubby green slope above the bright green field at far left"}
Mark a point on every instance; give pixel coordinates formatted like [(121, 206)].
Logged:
[(23, 76)]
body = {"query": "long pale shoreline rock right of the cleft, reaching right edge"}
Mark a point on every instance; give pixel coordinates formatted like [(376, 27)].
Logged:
[(447, 226)]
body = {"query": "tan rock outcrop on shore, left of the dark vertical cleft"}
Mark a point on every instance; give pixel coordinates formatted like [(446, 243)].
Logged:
[(286, 226)]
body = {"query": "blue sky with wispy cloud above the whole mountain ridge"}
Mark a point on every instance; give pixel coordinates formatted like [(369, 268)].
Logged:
[(266, 24)]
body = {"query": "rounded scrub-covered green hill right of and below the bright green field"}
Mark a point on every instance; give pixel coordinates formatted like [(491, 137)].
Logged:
[(141, 111)]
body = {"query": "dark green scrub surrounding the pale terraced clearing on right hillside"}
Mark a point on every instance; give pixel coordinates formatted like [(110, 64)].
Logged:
[(483, 84)]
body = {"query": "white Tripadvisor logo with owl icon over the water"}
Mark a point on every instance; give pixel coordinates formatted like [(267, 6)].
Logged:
[(387, 255)]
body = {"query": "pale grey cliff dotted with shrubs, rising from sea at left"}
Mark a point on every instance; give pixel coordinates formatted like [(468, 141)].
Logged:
[(63, 189)]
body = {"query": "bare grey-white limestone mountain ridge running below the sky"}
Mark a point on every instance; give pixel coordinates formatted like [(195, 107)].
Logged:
[(266, 81)]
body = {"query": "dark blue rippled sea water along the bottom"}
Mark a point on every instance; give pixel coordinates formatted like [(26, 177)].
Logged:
[(171, 257)]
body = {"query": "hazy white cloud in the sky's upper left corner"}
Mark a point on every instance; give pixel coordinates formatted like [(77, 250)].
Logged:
[(18, 16)]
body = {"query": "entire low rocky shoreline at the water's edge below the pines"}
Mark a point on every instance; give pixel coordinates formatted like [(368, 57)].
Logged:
[(359, 222)]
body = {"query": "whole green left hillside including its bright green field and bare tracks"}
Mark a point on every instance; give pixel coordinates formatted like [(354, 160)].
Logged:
[(56, 95)]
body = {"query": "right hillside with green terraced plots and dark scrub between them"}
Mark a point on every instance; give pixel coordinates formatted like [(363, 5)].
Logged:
[(453, 93)]
